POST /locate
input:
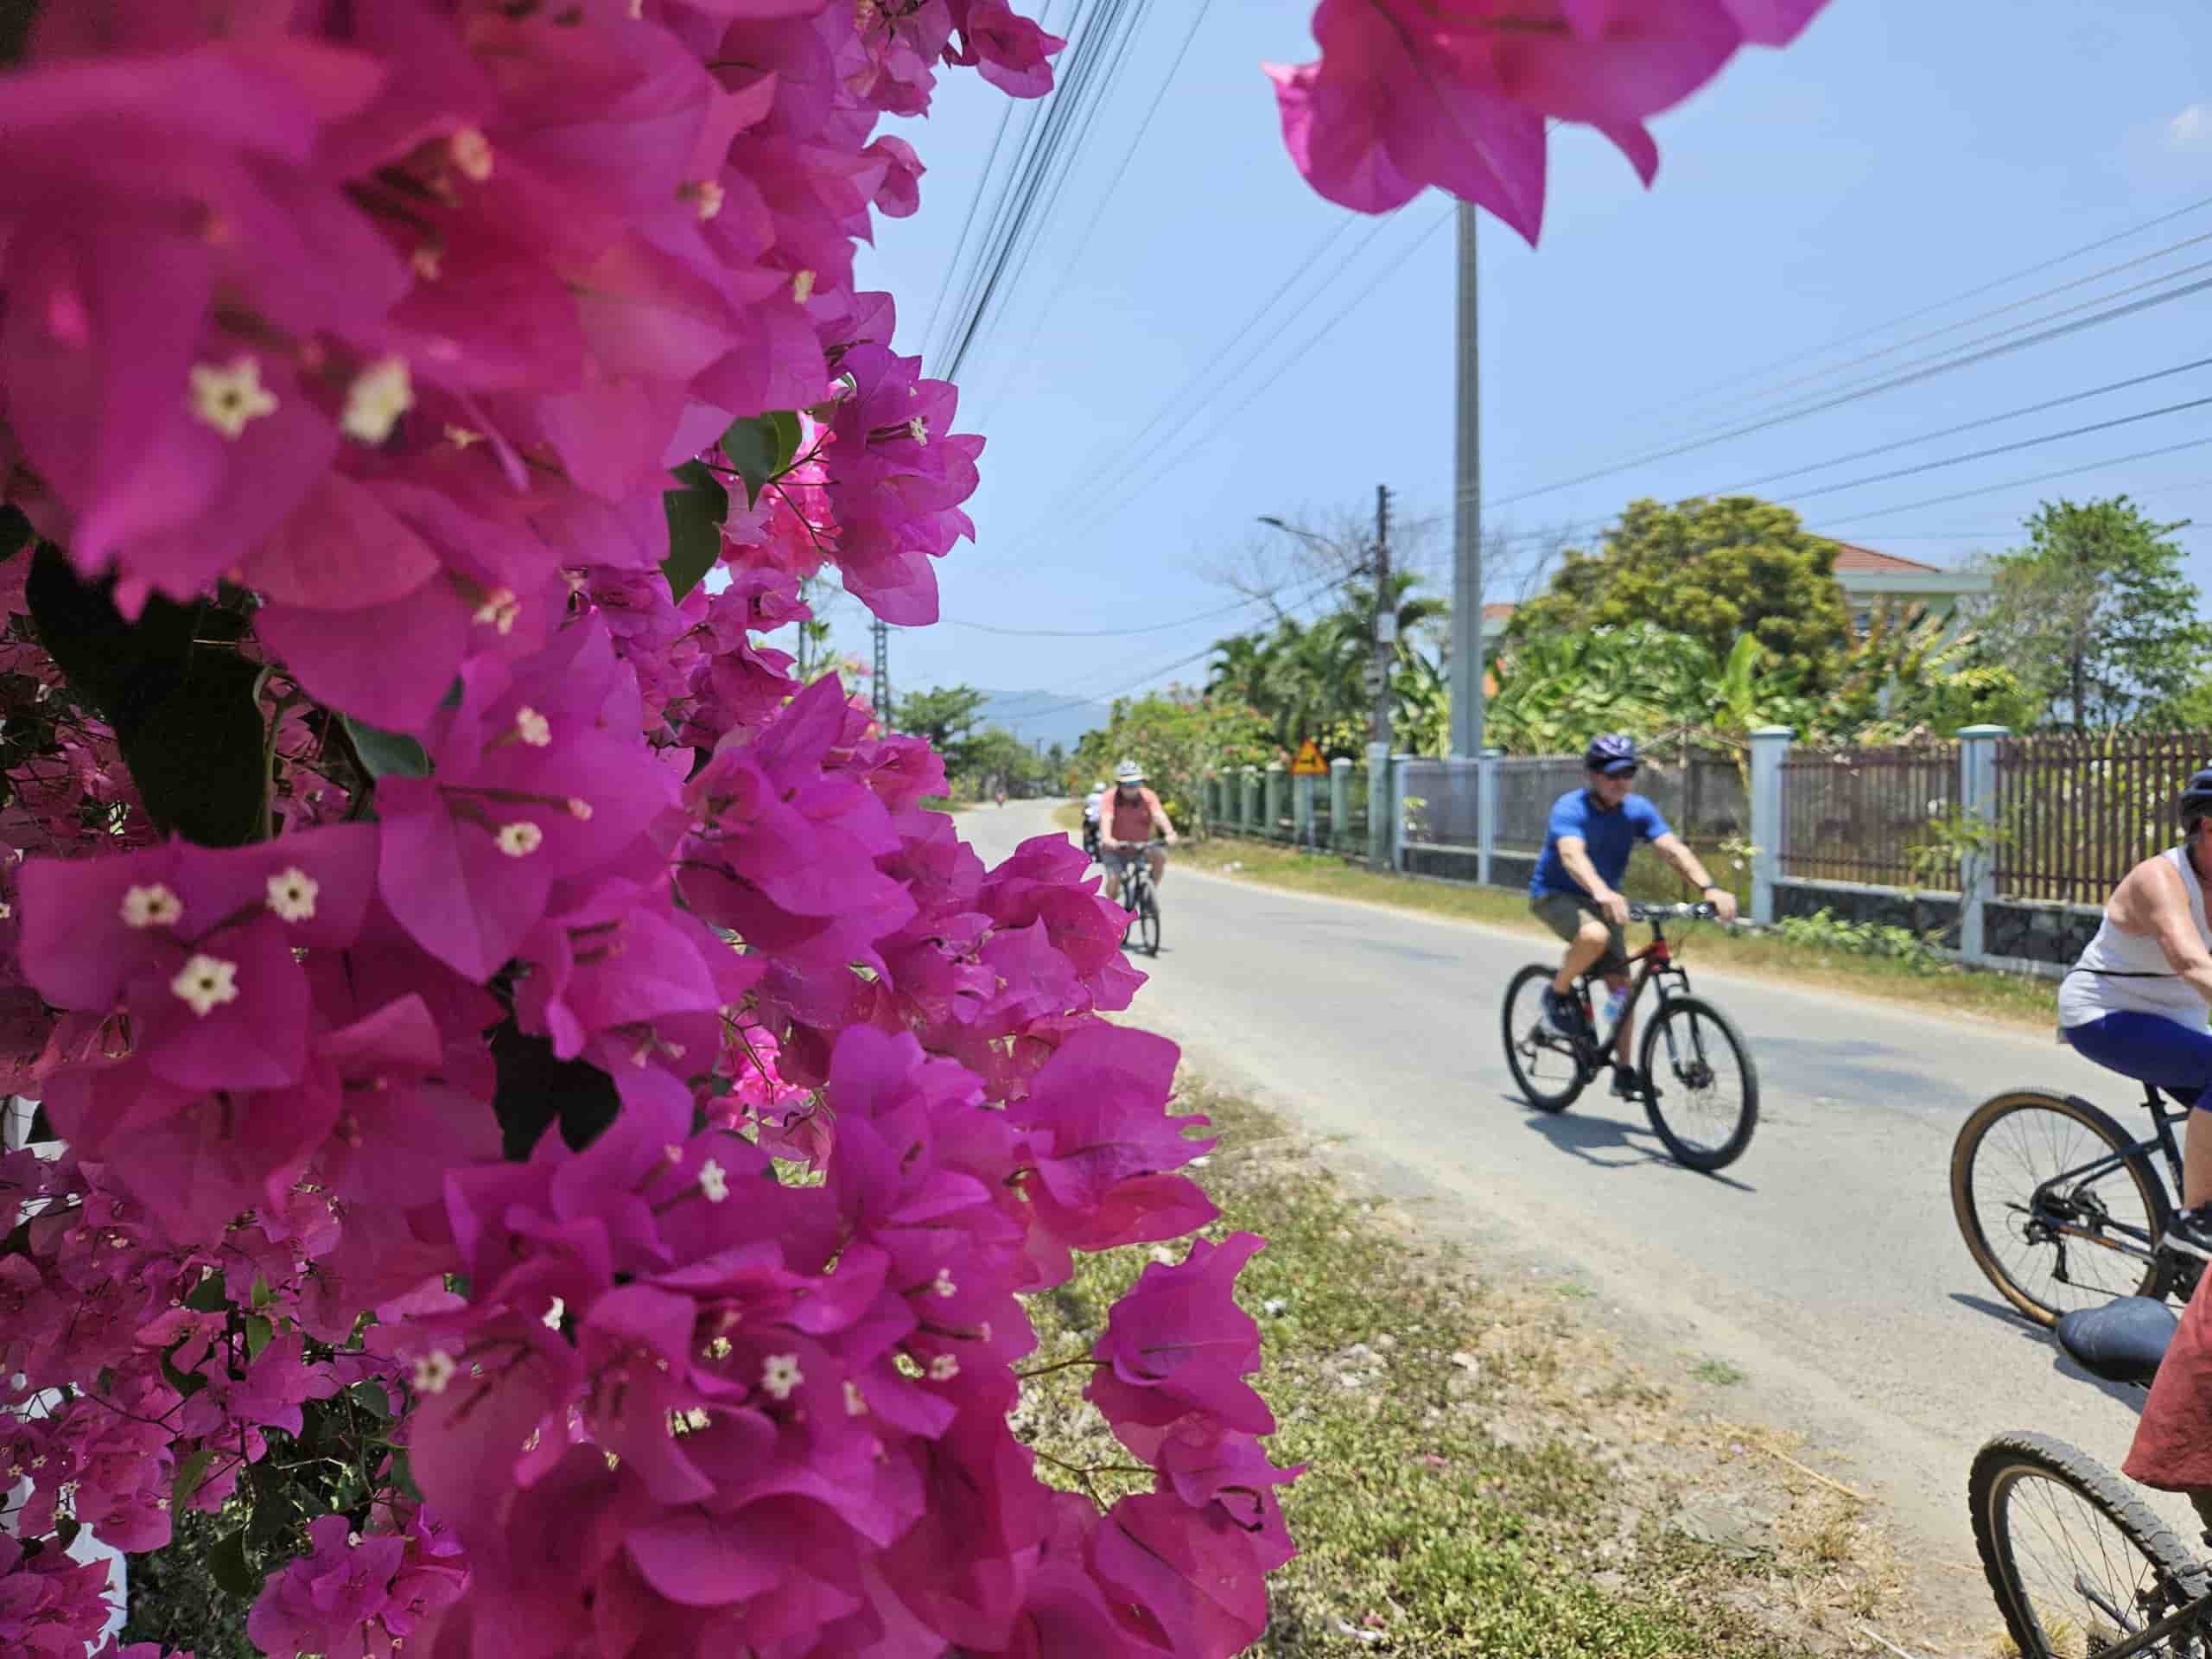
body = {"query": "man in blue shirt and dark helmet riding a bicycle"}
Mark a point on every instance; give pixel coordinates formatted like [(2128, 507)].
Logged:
[(1576, 886)]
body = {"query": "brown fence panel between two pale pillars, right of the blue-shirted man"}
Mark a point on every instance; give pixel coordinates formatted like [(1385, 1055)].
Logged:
[(1864, 813)]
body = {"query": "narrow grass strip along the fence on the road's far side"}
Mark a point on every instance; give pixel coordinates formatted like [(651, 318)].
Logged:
[(1943, 985)]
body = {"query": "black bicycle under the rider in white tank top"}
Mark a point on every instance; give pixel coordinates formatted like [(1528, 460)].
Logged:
[(2060, 1209)]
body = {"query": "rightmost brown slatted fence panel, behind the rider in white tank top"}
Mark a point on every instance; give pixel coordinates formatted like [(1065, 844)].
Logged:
[(2076, 813)]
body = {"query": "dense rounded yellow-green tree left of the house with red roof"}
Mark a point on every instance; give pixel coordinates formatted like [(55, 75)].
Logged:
[(1709, 570)]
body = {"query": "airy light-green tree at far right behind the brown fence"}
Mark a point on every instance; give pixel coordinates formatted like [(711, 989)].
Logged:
[(2098, 612)]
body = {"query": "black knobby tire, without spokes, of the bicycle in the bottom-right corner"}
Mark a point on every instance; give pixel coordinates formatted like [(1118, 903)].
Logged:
[(1999, 1470)]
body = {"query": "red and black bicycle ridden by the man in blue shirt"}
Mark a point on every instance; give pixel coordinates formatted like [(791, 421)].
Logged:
[(1693, 1067)]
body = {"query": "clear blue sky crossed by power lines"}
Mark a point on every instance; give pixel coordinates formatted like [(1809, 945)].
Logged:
[(1897, 156)]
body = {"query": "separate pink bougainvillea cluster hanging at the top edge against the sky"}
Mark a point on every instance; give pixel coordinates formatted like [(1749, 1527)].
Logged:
[(1459, 92)]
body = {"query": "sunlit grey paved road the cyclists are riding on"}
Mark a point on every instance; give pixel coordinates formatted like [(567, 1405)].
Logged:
[(1824, 1264)]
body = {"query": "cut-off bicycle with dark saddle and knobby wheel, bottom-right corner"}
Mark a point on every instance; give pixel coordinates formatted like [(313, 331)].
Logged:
[(2083, 1569)]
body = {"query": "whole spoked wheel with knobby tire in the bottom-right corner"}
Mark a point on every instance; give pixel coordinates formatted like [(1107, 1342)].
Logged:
[(2074, 1558)]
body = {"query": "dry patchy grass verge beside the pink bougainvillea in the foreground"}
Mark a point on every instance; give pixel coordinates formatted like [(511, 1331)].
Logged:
[(1485, 1477)]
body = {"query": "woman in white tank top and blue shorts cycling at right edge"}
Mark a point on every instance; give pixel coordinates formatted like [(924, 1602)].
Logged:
[(2140, 997)]
